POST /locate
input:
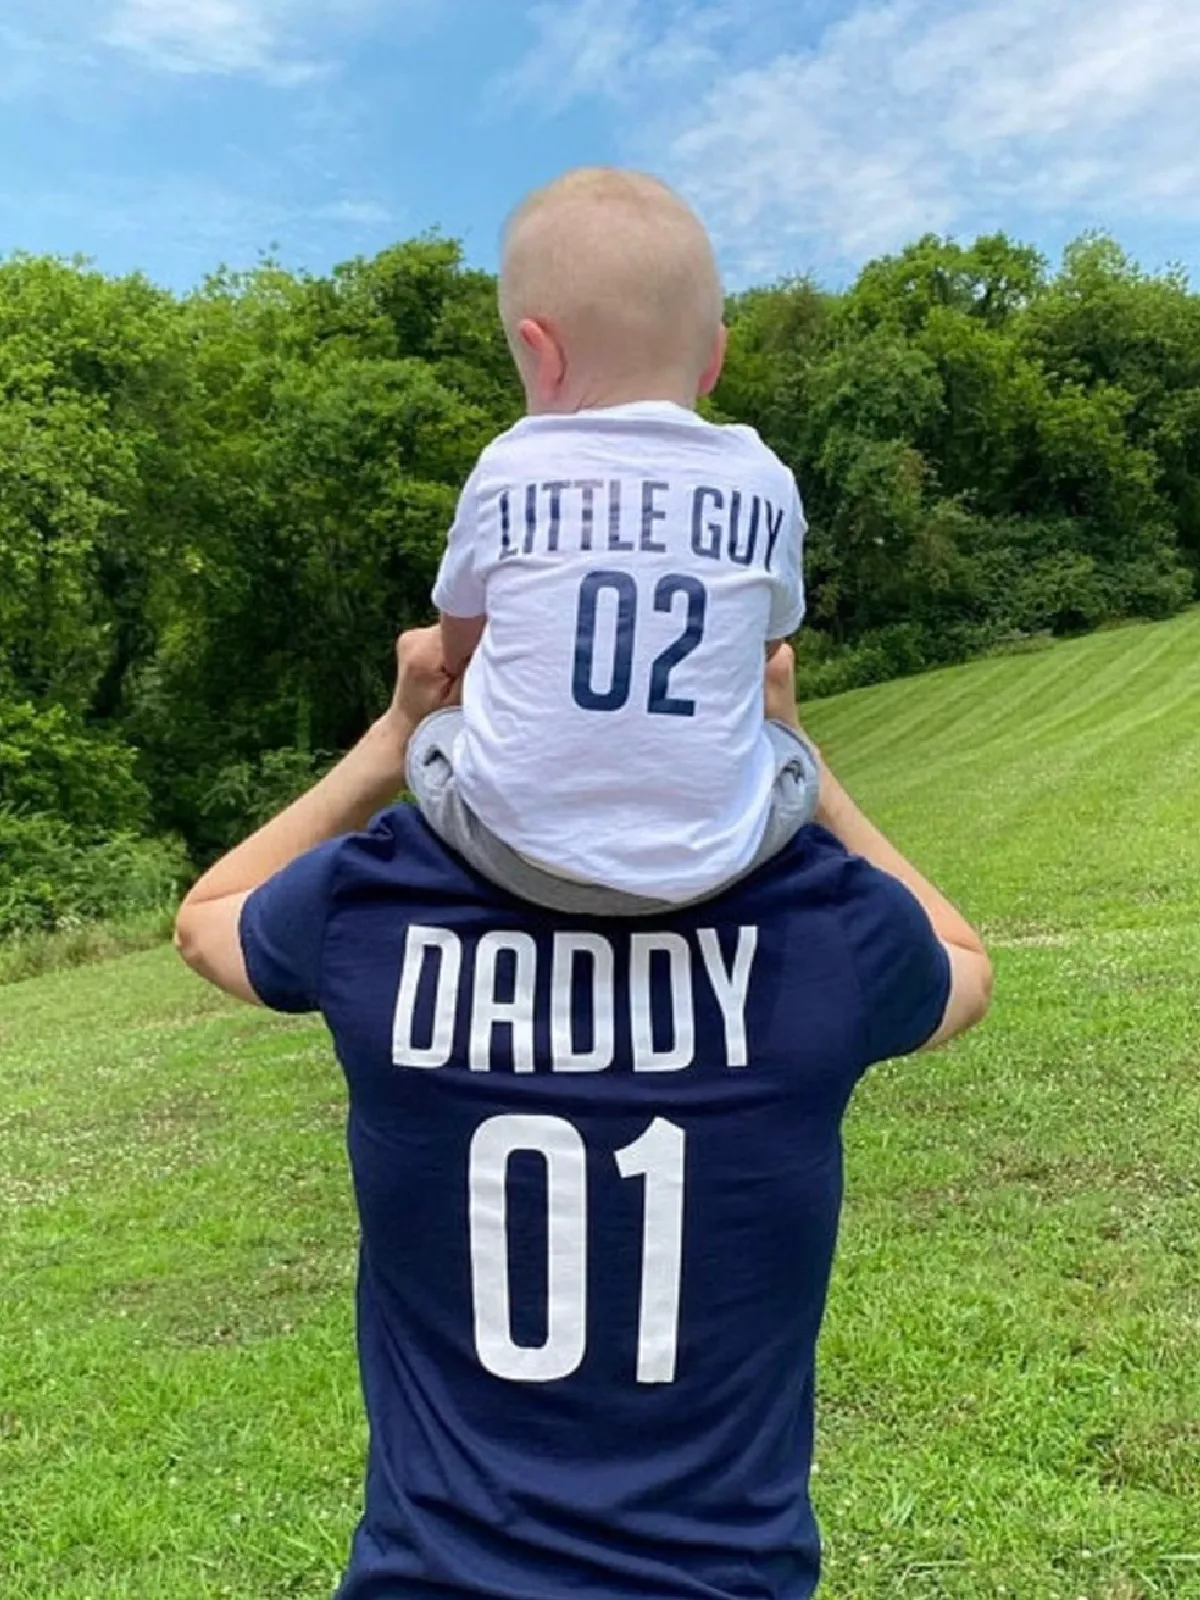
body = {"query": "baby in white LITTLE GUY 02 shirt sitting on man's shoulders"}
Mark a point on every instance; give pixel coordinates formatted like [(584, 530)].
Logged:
[(615, 575)]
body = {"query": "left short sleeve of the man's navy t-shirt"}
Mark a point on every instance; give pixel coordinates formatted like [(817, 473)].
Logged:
[(282, 932)]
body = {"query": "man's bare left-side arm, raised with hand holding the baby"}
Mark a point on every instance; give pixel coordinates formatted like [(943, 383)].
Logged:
[(345, 801)]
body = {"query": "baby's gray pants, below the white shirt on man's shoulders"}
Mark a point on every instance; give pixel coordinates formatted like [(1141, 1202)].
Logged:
[(431, 778)]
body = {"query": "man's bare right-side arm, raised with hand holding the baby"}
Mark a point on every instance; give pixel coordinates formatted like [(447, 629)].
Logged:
[(970, 966)]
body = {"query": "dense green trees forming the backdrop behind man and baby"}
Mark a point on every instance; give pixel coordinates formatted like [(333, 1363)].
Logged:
[(217, 511)]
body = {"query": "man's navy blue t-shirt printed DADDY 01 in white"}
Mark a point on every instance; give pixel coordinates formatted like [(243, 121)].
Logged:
[(599, 1175)]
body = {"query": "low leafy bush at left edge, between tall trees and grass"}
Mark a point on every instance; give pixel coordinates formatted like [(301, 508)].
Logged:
[(58, 878)]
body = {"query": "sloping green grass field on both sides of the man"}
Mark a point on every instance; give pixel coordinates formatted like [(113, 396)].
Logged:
[(1012, 1362)]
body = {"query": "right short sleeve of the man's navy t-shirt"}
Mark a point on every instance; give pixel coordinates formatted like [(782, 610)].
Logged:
[(903, 967)]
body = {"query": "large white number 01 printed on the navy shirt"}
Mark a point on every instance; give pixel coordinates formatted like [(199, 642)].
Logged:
[(658, 1158)]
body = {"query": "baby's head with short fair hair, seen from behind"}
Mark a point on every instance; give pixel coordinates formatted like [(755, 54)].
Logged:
[(610, 294)]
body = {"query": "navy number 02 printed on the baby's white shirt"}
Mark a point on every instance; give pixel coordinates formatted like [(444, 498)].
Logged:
[(614, 698)]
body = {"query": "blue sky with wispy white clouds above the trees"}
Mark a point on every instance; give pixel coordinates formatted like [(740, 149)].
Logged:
[(175, 135)]
